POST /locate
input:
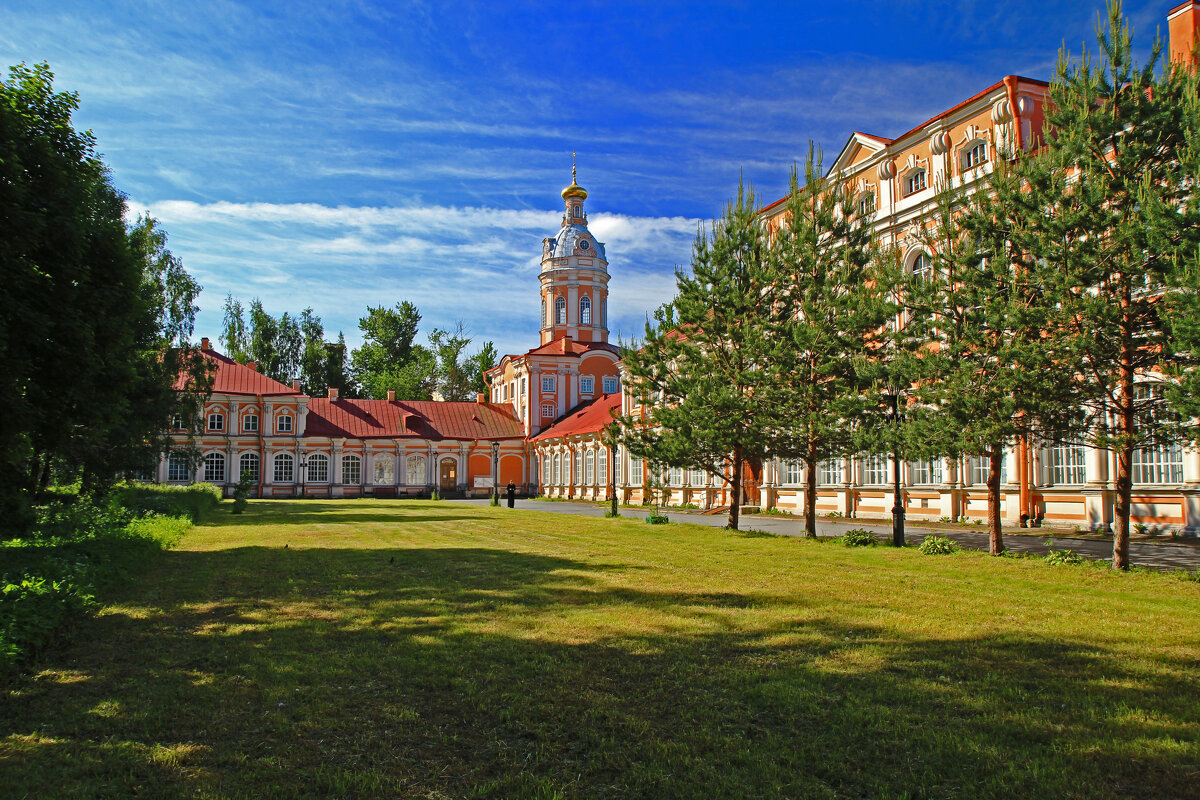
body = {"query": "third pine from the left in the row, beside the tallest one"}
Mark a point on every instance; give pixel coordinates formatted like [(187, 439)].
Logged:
[(976, 322)]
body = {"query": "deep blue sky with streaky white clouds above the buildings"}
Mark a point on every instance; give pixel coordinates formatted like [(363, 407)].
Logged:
[(339, 155)]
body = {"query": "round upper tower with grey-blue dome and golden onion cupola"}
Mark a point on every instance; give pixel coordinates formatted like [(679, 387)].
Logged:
[(574, 276)]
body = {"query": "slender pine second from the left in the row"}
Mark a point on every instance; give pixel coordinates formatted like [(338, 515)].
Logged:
[(830, 302)]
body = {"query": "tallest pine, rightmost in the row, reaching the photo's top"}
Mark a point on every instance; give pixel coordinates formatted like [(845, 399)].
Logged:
[(1106, 214)]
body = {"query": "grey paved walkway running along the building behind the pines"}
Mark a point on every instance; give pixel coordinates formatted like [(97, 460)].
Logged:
[(1159, 555)]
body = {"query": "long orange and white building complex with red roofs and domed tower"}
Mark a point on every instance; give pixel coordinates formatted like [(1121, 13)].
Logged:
[(543, 425)]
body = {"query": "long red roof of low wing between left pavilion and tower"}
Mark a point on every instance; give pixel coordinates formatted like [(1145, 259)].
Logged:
[(367, 419)]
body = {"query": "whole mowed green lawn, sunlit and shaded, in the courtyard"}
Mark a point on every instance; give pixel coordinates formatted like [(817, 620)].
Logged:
[(417, 649)]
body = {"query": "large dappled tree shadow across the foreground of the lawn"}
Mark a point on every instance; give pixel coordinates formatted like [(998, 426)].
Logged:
[(470, 672)]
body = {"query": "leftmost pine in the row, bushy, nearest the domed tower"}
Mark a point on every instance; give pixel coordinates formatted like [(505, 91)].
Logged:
[(700, 376)]
